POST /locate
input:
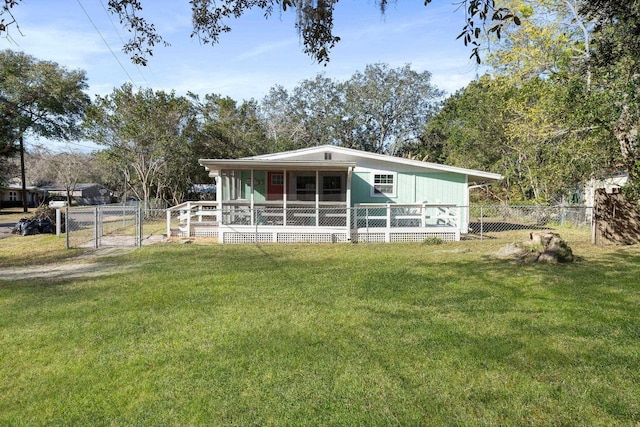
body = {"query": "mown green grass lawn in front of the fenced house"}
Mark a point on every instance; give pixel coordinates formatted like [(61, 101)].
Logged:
[(344, 334)]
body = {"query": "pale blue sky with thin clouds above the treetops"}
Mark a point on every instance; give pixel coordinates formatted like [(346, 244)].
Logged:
[(258, 53)]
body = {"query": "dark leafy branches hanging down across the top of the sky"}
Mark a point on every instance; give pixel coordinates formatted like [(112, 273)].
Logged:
[(314, 22)]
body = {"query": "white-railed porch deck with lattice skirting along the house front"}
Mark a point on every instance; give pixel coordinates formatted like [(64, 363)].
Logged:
[(238, 222)]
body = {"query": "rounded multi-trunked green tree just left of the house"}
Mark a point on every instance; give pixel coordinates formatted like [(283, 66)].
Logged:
[(146, 134)]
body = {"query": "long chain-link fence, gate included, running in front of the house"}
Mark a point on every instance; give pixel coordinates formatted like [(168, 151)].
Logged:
[(131, 226)]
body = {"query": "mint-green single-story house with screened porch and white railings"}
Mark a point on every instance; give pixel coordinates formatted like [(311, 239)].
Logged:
[(331, 194)]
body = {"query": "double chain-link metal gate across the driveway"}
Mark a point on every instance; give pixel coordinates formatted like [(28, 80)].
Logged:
[(103, 226)]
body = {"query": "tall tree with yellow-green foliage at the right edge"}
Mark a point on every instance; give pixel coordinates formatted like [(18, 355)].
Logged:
[(589, 49)]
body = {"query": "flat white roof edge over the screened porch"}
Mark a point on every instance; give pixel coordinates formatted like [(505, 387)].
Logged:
[(214, 166)]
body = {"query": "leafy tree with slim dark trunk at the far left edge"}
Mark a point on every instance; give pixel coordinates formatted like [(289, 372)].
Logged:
[(39, 98)]
